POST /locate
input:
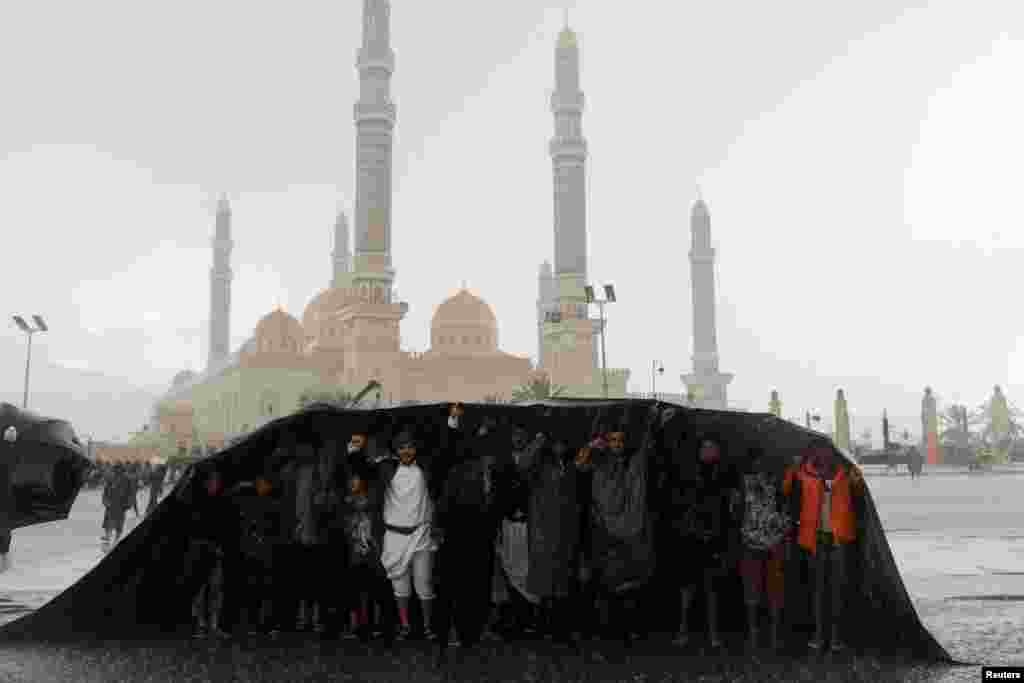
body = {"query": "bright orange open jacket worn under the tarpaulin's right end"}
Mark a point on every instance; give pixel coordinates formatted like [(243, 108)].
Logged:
[(844, 521)]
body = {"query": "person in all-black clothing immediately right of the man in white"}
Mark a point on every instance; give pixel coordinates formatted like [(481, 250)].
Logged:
[(470, 515)]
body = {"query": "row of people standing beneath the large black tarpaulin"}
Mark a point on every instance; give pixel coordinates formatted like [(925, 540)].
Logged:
[(553, 533)]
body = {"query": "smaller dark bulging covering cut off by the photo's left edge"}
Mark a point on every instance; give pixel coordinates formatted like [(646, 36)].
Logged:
[(41, 472)]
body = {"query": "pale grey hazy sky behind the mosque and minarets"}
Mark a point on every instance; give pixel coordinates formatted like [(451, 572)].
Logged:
[(862, 162)]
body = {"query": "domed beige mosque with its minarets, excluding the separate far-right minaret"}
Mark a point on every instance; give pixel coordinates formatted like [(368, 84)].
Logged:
[(350, 332)]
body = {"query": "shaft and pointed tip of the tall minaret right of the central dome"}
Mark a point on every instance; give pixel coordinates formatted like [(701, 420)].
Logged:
[(569, 156)]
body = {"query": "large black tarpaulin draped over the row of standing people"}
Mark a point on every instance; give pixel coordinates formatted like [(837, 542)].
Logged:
[(145, 587)]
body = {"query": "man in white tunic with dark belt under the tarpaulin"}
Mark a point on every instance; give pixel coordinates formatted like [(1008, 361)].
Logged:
[(409, 544)]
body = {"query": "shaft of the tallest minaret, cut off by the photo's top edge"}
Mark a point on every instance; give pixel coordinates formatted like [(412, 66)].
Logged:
[(375, 117)]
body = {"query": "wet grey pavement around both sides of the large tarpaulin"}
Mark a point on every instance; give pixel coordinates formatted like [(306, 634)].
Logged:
[(958, 539)]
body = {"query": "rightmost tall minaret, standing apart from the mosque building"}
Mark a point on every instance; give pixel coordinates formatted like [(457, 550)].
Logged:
[(706, 383)]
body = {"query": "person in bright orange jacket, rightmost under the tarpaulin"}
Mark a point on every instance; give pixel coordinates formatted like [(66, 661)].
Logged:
[(827, 488)]
